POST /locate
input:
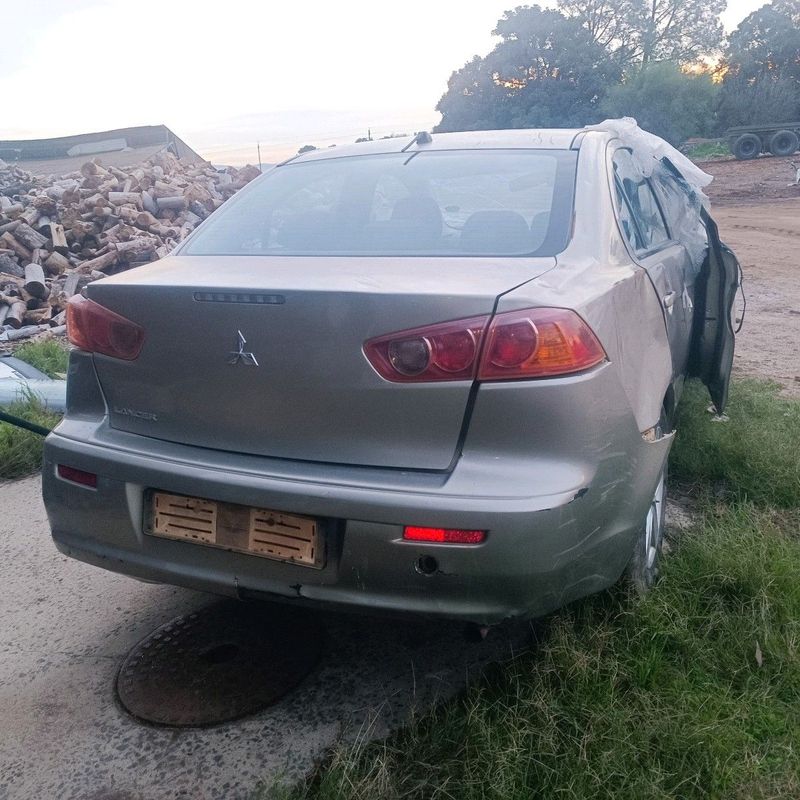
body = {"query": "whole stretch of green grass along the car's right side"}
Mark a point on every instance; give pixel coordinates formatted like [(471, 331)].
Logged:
[(690, 692)]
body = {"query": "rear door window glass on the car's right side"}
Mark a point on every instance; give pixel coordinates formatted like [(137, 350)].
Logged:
[(635, 192)]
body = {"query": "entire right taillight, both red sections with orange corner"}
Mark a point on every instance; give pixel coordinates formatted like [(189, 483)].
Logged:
[(533, 343)]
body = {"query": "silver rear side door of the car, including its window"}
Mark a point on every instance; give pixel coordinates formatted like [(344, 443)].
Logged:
[(653, 246)]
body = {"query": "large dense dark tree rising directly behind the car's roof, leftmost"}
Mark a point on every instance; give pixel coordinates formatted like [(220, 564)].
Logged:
[(545, 71)]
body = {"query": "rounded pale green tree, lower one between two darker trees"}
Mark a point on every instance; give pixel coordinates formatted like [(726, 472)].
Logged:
[(665, 101)]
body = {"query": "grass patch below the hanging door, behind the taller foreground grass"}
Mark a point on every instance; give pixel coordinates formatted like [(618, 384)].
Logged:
[(754, 456)]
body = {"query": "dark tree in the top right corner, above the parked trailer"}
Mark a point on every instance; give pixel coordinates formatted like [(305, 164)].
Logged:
[(767, 42)]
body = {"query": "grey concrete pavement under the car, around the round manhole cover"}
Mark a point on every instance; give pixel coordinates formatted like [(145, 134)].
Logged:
[(65, 628)]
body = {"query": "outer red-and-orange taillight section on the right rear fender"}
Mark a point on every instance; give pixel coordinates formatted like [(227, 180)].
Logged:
[(538, 343)]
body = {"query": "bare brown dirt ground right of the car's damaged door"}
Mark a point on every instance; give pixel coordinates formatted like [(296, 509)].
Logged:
[(759, 218)]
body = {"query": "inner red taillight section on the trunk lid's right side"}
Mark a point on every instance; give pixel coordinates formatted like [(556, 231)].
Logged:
[(444, 352)]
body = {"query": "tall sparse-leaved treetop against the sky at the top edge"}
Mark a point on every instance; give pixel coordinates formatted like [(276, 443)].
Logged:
[(642, 31)]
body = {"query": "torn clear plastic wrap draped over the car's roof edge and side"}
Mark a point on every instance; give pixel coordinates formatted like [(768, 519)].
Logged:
[(648, 151)]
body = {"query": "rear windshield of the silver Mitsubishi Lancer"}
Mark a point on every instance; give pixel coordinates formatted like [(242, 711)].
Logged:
[(466, 202)]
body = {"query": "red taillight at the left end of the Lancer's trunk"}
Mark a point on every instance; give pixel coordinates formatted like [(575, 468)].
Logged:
[(97, 329)]
